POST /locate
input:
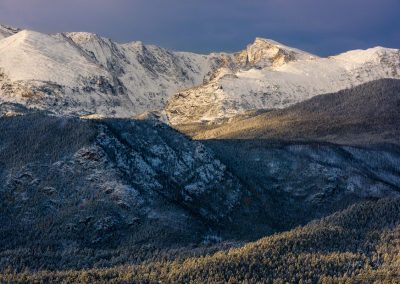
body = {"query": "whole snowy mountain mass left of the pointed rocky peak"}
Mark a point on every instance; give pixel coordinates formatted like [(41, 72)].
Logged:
[(82, 73)]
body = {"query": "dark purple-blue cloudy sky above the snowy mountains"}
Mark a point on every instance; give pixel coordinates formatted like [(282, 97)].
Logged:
[(324, 27)]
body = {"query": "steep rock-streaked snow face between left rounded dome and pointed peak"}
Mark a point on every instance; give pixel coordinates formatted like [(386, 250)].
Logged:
[(148, 73)]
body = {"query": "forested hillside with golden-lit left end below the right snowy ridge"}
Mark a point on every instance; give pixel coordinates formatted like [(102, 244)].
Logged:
[(362, 115)]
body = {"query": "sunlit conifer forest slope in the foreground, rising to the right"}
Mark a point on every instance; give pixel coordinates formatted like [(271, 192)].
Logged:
[(357, 245)]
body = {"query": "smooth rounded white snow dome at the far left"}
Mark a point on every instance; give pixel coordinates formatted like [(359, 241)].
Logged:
[(32, 56)]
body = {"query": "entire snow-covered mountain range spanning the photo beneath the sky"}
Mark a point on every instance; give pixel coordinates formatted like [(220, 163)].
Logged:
[(85, 74)]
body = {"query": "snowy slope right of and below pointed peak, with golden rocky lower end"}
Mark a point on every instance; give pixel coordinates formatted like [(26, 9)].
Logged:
[(279, 85)]
